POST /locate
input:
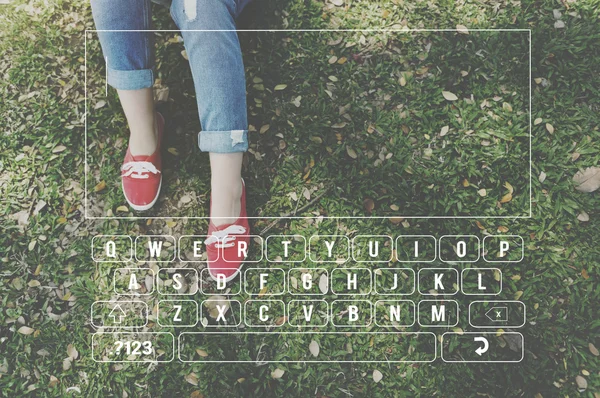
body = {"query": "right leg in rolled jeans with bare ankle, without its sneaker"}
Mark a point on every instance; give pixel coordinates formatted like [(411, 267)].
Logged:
[(216, 62)]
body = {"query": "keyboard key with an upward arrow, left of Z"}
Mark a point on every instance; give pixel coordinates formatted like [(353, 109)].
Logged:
[(121, 314)]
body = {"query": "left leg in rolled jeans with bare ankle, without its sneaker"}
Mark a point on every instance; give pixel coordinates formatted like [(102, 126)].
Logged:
[(129, 57)]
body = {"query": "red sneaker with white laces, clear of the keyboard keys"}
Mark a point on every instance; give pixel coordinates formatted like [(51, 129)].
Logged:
[(141, 176)]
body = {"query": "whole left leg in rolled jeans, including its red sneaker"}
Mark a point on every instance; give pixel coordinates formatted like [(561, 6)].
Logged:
[(124, 32)]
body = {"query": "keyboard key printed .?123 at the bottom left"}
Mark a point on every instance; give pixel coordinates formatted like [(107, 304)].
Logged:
[(133, 347)]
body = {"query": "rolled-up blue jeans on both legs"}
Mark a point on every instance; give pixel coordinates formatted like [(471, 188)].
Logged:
[(212, 45)]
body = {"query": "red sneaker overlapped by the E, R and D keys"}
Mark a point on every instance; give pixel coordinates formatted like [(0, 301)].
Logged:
[(227, 245)]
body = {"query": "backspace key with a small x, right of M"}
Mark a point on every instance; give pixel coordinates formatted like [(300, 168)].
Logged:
[(497, 314)]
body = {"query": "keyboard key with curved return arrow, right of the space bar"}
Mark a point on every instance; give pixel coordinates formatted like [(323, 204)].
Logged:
[(482, 347)]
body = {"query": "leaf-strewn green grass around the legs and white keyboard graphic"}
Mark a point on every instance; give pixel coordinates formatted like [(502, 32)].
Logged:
[(49, 281)]
